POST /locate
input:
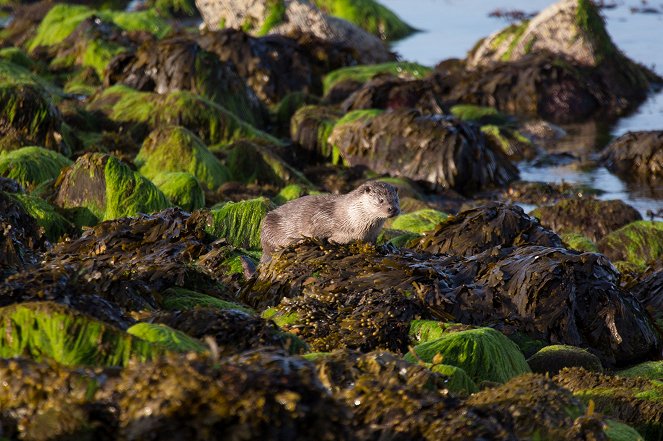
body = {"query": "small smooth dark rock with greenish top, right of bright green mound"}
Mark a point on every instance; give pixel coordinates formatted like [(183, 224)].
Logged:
[(554, 358)]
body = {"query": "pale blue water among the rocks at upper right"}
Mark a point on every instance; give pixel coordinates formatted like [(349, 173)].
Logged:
[(450, 28)]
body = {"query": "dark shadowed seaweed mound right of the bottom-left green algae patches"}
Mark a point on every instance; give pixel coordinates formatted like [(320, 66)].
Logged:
[(233, 331)]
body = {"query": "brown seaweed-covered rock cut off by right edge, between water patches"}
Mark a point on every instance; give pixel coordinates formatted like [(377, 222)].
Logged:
[(636, 155)]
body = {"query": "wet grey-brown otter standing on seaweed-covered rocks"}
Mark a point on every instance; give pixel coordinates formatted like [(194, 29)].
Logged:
[(358, 215)]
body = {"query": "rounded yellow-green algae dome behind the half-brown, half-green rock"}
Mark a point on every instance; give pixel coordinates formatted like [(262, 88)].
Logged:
[(176, 149)]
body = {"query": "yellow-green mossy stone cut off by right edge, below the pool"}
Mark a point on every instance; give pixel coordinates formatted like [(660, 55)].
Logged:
[(638, 243)]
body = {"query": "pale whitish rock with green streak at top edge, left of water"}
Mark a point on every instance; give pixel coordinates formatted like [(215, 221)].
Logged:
[(292, 17)]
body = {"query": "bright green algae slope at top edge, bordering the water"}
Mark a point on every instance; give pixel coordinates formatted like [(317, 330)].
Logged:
[(368, 15)]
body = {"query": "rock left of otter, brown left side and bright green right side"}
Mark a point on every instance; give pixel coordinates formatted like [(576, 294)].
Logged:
[(107, 188)]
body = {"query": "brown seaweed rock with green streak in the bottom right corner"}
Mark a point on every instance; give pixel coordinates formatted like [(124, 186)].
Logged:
[(636, 401)]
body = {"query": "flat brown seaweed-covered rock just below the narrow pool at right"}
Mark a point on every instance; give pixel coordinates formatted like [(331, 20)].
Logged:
[(588, 216)]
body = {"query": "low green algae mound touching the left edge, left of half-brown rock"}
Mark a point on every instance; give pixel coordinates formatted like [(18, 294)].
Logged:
[(31, 166)]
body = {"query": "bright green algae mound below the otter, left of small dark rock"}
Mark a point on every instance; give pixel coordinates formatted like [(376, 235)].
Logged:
[(484, 353)]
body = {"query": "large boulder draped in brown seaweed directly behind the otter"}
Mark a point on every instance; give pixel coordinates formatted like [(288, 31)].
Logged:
[(441, 151)]
